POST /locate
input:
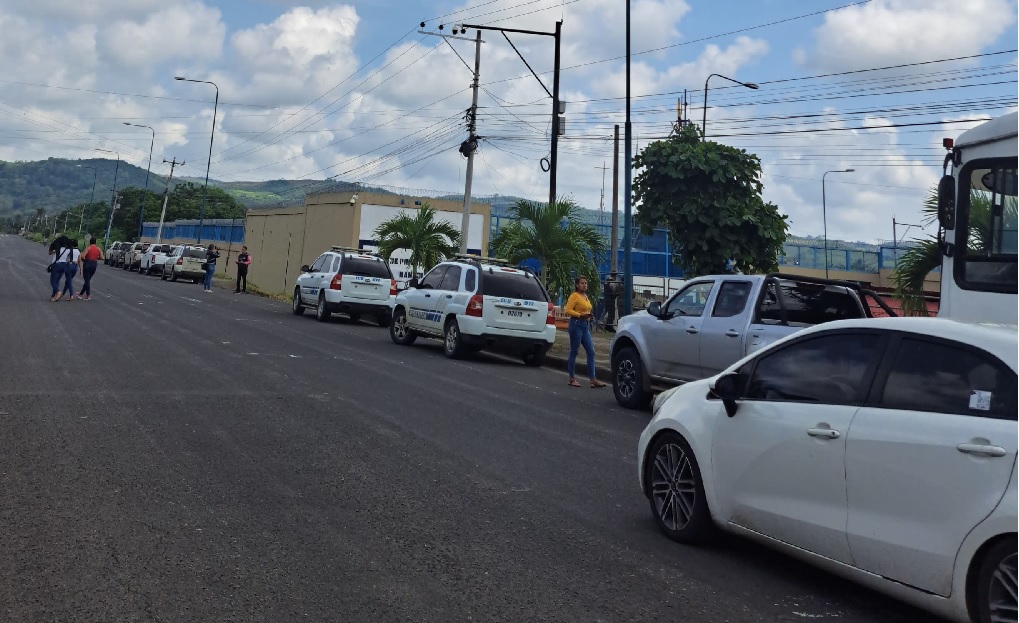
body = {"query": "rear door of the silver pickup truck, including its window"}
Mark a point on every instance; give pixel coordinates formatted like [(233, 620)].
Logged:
[(724, 330)]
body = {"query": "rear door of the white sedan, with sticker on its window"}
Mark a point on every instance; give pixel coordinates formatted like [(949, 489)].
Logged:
[(930, 459)]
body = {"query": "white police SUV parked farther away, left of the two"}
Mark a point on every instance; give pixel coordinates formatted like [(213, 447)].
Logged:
[(351, 282)]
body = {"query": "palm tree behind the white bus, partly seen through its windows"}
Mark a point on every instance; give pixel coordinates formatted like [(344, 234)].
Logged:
[(915, 266)]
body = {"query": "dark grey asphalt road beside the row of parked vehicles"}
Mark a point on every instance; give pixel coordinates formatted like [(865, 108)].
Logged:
[(170, 455)]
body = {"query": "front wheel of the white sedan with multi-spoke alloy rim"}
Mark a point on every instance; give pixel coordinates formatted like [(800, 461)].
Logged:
[(676, 492)]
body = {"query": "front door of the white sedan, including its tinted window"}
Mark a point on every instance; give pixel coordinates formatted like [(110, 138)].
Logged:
[(779, 464)]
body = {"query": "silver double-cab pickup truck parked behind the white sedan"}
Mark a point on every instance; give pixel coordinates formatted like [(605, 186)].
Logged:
[(714, 322)]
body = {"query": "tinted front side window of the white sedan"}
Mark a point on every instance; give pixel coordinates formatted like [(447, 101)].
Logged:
[(828, 370)]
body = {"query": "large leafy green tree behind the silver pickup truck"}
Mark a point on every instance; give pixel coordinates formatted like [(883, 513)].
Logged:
[(709, 196)]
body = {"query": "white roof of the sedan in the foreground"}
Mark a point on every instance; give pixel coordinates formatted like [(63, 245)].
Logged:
[(999, 340)]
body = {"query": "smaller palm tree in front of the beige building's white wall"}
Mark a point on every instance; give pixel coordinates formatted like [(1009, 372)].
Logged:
[(430, 241)]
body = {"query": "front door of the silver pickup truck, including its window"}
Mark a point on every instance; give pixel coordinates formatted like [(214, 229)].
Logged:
[(674, 340)]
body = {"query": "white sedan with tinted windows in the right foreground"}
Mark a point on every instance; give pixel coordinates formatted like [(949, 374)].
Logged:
[(880, 450)]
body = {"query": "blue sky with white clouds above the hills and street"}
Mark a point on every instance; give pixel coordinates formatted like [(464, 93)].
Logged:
[(353, 91)]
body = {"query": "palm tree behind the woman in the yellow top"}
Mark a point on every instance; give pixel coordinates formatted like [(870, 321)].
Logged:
[(554, 235)]
